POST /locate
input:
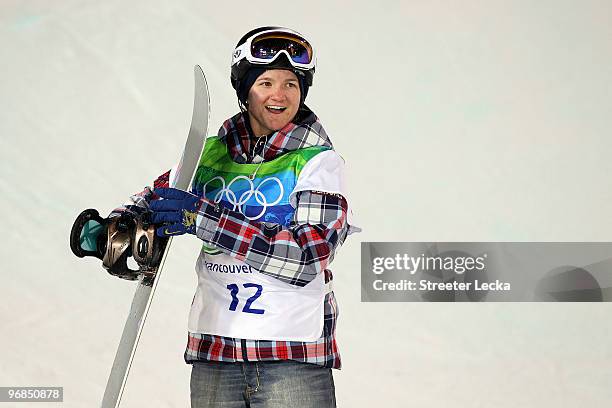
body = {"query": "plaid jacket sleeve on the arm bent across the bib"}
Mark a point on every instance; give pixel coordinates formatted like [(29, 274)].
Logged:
[(293, 254)]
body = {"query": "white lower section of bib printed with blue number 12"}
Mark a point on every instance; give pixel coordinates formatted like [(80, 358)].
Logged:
[(234, 300)]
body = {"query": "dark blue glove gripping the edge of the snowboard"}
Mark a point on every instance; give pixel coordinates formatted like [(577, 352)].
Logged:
[(177, 211)]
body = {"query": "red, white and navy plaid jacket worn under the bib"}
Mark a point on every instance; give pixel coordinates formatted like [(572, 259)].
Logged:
[(293, 254)]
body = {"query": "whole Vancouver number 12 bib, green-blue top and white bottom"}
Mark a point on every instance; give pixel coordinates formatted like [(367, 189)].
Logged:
[(234, 300)]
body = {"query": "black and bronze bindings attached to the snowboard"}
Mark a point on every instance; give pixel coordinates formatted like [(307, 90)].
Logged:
[(113, 240)]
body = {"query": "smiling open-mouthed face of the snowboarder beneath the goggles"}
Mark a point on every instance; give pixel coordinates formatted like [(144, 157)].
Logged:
[(273, 101)]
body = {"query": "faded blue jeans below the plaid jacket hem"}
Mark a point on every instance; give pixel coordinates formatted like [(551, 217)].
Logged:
[(274, 384)]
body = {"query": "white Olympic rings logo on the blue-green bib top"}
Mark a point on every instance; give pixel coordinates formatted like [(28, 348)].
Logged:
[(239, 203)]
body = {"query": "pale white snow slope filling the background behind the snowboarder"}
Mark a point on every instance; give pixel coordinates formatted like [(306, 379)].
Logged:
[(459, 121)]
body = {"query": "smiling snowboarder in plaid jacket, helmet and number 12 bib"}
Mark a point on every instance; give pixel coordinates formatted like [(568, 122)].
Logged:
[(269, 202)]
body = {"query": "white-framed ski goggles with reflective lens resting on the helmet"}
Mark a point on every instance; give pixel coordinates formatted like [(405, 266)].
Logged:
[(265, 47)]
